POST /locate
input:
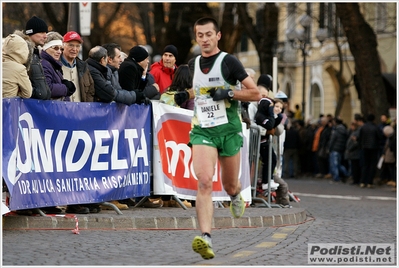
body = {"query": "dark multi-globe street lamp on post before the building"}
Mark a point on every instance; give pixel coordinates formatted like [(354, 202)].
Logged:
[(300, 39)]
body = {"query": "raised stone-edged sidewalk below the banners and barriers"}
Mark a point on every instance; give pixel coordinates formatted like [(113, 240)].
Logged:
[(155, 218)]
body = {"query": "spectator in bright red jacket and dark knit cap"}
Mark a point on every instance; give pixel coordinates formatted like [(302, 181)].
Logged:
[(164, 70)]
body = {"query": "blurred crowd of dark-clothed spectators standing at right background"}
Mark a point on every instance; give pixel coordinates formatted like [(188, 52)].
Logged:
[(329, 148)]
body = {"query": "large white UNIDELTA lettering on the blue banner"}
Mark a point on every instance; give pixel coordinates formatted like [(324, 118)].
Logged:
[(70, 151)]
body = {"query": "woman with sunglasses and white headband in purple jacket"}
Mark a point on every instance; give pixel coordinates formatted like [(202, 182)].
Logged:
[(61, 89)]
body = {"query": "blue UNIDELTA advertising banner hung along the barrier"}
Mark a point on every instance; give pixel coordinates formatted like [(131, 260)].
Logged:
[(60, 153)]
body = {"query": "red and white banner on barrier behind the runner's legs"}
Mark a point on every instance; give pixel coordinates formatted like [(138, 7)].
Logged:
[(172, 163)]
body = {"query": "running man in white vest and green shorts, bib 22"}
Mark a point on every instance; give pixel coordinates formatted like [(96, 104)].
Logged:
[(217, 131)]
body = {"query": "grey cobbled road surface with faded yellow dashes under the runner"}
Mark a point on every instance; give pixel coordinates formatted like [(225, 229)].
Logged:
[(337, 213)]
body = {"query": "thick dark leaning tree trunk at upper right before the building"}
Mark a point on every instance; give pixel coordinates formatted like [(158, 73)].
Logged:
[(363, 46)]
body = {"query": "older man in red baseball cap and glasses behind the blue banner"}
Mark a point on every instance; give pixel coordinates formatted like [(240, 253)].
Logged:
[(75, 69)]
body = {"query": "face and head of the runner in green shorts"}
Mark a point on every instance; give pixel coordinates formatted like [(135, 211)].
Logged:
[(207, 38)]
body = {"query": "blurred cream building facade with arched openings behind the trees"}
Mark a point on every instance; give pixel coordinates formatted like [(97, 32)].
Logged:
[(308, 58)]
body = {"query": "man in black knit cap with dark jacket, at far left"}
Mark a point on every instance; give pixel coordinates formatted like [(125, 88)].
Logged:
[(36, 33)]
